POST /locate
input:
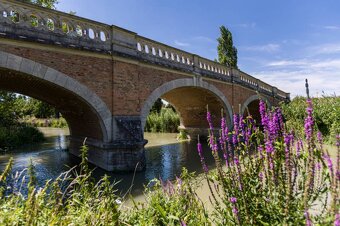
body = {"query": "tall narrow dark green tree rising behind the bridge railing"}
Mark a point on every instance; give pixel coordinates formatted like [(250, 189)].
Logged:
[(227, 52)]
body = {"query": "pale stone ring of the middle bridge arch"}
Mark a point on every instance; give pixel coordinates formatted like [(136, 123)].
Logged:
[(181, 84)]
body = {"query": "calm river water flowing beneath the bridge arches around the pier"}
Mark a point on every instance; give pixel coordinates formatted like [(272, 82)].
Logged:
[(165, 158)]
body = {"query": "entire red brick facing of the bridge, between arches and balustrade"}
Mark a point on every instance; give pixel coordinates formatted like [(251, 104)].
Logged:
[(132, 83)]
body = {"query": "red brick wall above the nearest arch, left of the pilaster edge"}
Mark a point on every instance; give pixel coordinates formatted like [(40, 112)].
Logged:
[(93, 72)]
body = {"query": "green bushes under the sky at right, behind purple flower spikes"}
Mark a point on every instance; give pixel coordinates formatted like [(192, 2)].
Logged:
[(326, 114)]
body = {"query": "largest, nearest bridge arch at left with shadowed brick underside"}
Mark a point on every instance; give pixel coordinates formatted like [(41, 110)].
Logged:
[(82, 108)]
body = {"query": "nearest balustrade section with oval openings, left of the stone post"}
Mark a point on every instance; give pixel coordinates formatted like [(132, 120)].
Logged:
[(30, 22)]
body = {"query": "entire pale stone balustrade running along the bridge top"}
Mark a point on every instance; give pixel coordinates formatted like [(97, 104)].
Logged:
[(24, 21)]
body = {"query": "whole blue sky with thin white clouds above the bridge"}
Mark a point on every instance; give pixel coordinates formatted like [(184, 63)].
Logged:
[(280, 42)]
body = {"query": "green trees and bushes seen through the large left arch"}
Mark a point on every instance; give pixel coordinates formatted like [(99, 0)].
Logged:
[(19, 115)]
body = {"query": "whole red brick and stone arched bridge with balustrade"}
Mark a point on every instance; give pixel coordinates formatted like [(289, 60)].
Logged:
[(104, 80)]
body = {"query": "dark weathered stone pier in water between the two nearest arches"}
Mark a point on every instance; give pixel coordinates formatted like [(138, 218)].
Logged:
[(125, 153)]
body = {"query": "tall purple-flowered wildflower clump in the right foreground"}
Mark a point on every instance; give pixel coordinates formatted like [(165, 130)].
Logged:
[(271, 177)]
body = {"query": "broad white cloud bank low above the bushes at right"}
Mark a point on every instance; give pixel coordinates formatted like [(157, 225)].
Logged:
[(289, 75)]
